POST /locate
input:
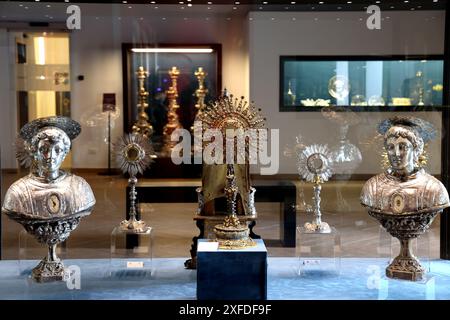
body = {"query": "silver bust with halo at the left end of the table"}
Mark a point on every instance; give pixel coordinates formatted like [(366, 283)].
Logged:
[(48, 202)]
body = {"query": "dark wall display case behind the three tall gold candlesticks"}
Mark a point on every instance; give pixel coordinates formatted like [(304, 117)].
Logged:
[(157, 61)]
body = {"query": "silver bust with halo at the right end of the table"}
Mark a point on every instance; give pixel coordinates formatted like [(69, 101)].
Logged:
[(405, 199)]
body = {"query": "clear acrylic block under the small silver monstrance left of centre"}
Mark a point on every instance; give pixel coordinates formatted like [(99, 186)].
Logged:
[(131, 254)]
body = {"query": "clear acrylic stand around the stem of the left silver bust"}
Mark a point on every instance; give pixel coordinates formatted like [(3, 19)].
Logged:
[(31, 252)]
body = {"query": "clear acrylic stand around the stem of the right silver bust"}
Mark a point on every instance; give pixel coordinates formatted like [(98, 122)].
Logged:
[(389, 248)]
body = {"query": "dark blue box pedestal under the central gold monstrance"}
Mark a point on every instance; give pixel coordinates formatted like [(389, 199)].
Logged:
[(232, 274)]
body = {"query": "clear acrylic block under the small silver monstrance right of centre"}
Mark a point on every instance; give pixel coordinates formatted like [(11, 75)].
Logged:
[(318, 252)]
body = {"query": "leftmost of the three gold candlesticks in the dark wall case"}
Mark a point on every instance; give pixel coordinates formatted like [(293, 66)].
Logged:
[(142, 126)]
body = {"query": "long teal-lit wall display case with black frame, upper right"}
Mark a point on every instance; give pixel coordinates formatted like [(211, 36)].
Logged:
[(393, 83)]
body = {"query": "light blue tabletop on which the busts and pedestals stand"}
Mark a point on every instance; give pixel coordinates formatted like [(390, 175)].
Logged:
[(351, 278)]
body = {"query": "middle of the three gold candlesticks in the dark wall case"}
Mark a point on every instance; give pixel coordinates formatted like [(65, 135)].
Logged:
[(172, 116)]
